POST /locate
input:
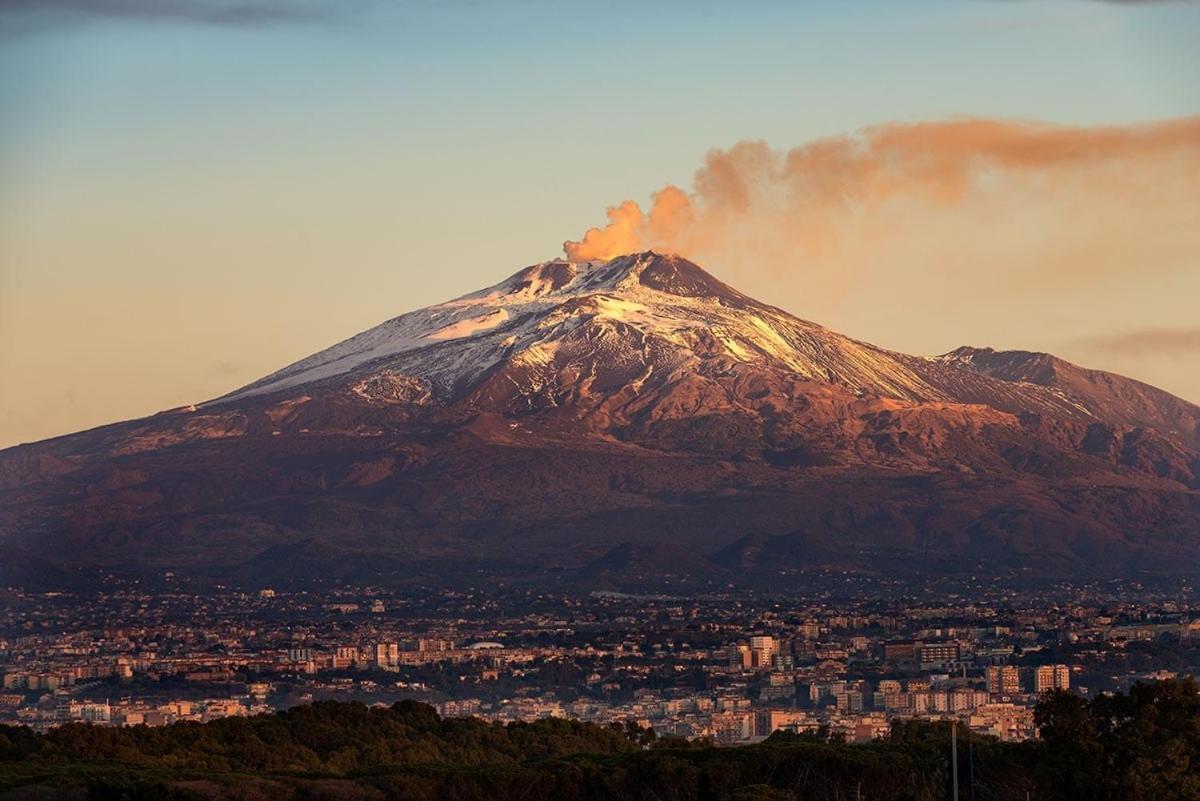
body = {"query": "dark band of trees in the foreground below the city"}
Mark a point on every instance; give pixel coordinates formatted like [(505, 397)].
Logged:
[(1137, 746)]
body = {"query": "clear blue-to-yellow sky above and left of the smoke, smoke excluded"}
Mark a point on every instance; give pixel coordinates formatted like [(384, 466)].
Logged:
[(251, 185)]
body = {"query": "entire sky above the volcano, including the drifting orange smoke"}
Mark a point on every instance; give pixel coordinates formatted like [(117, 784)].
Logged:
[(197, 192)]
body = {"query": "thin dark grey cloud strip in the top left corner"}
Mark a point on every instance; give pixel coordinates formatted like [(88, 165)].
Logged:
[(235, 14)]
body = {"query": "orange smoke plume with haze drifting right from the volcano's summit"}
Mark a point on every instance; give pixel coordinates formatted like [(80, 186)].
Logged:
[(989, 204)]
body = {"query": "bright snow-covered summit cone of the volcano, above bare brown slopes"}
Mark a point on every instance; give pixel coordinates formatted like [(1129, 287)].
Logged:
[(663, 298)]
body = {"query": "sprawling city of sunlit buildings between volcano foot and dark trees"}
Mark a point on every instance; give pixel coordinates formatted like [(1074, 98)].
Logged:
[(728, 670)]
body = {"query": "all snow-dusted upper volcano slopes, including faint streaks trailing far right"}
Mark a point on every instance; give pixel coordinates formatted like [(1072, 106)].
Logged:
[(646, 316)]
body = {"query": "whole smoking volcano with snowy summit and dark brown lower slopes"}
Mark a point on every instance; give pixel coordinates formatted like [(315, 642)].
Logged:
[(634, 423)]
